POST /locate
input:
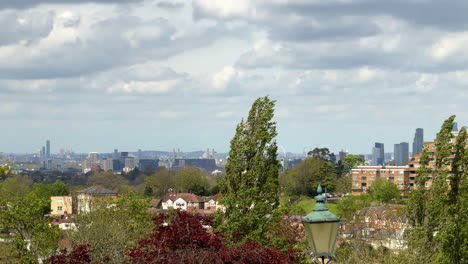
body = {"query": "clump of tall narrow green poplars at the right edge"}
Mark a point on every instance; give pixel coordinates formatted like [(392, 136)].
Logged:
[(438, 215)]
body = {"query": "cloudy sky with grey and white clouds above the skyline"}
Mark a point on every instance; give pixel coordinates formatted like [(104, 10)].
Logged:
[(94, 75)]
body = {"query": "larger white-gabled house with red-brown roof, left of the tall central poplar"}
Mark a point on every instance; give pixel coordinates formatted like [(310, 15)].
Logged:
[(183, 201)]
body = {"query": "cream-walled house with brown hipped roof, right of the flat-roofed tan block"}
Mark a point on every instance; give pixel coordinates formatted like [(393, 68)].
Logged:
[(87, 197)]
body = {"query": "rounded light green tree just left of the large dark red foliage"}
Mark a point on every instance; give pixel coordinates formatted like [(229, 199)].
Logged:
[(113, 227)]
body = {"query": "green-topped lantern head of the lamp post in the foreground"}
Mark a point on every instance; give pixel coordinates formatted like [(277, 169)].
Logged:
[(321, 228)]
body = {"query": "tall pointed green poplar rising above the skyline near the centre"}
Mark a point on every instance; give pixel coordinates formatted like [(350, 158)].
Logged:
[(250, 188)]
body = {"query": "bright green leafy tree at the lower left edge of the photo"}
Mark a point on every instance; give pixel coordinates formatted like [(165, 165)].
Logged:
[(23, 213)]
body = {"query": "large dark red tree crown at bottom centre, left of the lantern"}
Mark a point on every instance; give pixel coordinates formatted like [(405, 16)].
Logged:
[(187, 239)]
